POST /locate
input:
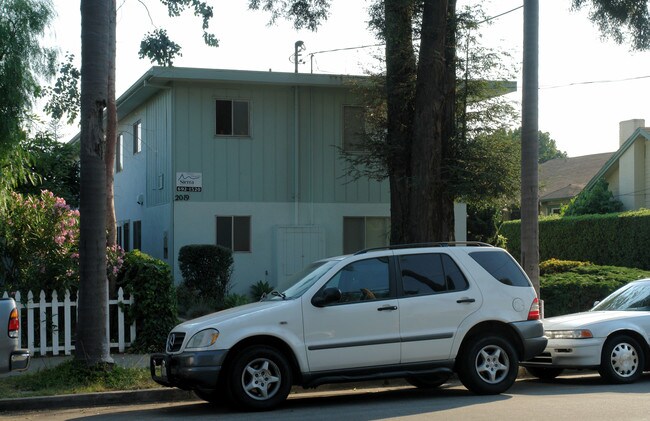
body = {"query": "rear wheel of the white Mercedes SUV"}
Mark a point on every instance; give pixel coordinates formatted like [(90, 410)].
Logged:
[(488, 365)]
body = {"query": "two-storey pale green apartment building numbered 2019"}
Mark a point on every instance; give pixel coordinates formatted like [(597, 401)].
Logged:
[(248, 160)]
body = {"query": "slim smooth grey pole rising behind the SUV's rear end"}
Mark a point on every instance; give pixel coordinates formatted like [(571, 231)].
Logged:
[(530, 145)]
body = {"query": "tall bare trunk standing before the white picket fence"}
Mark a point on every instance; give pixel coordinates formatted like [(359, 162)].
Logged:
[(91, 342)]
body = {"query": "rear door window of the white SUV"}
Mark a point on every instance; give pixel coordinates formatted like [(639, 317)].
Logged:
[(424, 274)]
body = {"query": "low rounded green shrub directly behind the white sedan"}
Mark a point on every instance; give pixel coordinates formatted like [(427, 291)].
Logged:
[(579, 285)]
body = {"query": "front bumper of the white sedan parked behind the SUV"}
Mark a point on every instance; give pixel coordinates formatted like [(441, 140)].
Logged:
[(569, 353)]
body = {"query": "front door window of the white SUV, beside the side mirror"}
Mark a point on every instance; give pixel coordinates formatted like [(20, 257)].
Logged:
[(362, 280)]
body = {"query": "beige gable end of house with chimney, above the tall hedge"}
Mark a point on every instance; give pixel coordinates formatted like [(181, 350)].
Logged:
[(628, 170)]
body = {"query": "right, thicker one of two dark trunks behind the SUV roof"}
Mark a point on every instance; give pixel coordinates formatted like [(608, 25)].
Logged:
[(431, 211)]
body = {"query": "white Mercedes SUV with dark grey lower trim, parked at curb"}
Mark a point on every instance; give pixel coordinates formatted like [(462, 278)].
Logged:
[(421, 312)]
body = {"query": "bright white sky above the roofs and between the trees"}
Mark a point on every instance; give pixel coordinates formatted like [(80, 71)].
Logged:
[(587, 84)]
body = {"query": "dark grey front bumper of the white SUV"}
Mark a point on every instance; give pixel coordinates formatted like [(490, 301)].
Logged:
[(188, 370)]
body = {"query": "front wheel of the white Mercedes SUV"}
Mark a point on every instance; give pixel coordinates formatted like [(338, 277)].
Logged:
[(260, 378)]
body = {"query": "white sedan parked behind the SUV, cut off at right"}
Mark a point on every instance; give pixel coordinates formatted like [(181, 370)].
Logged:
[(612, 338)]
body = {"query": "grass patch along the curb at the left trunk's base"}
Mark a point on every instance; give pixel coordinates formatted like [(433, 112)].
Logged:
[(72, 377)]
